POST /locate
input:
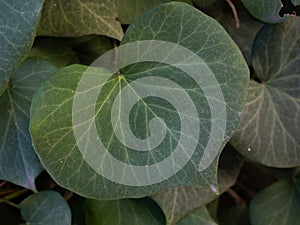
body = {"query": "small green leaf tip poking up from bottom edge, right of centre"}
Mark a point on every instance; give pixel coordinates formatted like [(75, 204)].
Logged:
[(199, 217)]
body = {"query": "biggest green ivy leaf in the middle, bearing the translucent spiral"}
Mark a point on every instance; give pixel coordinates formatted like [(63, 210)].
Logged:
[(51, 118)]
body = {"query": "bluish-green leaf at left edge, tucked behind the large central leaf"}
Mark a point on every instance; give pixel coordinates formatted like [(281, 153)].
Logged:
[(18, 162)]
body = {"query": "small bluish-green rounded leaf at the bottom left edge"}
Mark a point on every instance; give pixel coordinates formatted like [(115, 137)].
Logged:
[(45, 208)]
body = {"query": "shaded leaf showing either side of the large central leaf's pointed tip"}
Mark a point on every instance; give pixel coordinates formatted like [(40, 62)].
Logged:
[(180, 201)]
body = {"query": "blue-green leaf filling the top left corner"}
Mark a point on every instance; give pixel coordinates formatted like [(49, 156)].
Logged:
[(18, 24)]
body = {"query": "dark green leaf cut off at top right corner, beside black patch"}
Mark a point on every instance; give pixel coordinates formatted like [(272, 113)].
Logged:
[(266, 10)]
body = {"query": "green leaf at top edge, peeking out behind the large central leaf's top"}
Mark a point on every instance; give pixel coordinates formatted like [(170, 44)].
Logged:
[(129, 10)]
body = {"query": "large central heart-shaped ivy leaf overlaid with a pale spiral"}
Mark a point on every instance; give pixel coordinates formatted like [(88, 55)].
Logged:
[(51, 115)]
